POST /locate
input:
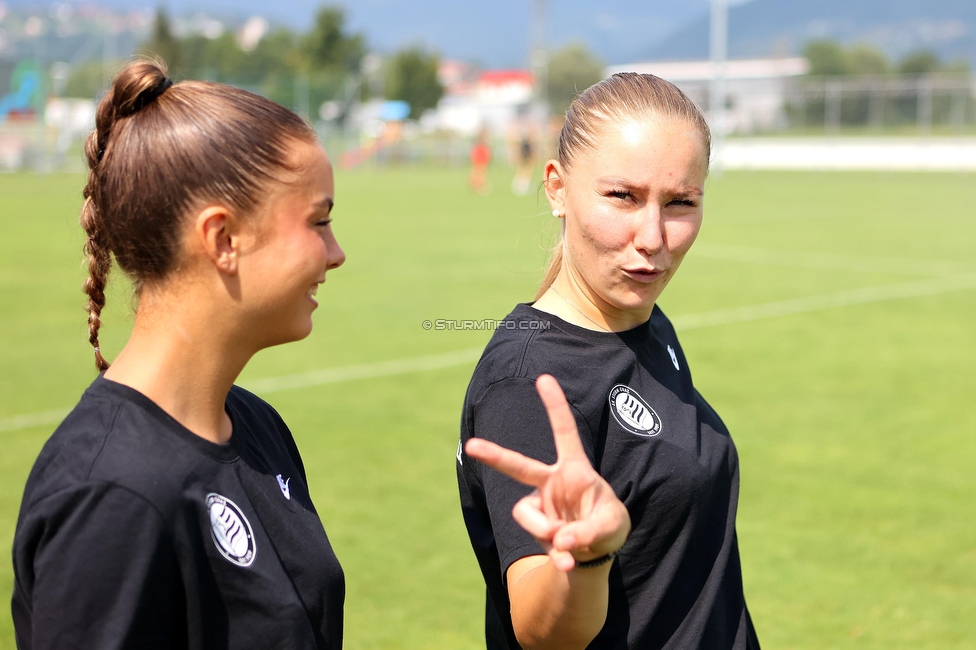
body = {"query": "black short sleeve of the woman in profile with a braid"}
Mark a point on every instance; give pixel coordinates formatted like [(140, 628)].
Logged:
[(95, 568)]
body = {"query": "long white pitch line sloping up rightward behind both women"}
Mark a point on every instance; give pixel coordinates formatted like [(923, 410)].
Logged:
[(461, 357)]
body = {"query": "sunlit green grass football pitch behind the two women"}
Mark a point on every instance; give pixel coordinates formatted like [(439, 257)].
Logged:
[(855, 423)]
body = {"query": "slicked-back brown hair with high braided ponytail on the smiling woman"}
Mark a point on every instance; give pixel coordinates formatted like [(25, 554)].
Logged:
[(157, 150)]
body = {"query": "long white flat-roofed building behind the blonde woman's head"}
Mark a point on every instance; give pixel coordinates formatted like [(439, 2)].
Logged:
[(756, 89)]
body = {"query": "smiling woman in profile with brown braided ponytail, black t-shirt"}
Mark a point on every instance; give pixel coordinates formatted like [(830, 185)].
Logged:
[(170, 509)]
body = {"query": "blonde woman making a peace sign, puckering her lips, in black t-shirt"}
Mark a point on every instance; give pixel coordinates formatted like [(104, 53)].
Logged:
[(618, 531)]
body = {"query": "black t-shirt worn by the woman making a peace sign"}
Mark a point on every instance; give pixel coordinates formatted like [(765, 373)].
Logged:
[(677, 582)]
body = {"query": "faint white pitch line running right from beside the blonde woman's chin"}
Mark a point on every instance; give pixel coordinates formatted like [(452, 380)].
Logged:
[(828, 261)]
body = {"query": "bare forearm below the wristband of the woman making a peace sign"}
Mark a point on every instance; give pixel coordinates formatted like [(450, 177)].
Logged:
[(555, 609)]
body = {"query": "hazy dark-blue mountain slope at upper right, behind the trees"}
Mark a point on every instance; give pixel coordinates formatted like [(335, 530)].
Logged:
[(779, 27)]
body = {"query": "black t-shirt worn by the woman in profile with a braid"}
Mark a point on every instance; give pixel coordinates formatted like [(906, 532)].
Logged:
[(136, 533)]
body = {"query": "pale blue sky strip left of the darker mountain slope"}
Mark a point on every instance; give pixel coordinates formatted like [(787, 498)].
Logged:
[(493, 33)]
